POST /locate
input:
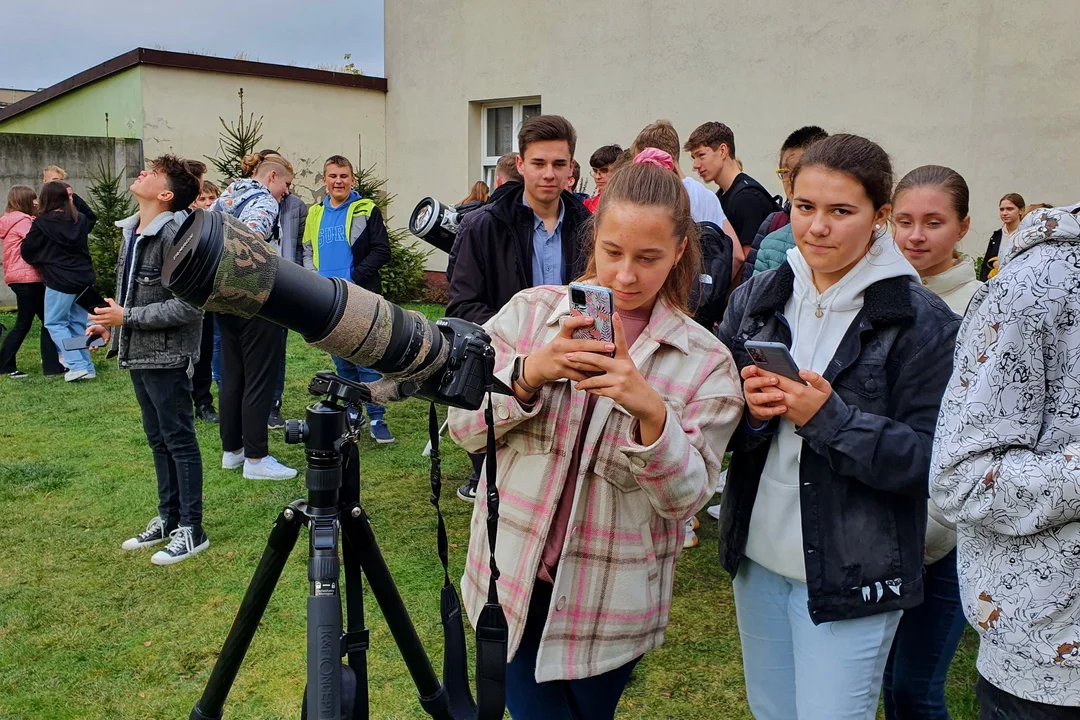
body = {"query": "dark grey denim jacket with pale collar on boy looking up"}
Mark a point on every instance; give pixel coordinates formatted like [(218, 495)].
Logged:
[(160, 331)]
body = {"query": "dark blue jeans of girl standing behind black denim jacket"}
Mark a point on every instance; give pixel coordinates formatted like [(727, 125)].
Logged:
[(926, 642)]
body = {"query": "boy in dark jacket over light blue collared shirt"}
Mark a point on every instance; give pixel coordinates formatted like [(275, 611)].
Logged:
[(526, 236)]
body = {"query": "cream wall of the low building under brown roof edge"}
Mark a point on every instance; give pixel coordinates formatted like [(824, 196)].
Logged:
[(307, 123)]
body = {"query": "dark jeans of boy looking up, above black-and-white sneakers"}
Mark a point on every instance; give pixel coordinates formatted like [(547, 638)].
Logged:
[(169, 422)]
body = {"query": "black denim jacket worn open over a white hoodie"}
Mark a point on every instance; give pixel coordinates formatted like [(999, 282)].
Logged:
[(866, 463)]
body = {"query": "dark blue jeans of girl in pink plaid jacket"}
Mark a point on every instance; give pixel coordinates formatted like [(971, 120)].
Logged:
[(588, 699)]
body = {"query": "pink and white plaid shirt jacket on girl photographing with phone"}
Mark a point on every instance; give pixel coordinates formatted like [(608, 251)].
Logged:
[(614, 588)]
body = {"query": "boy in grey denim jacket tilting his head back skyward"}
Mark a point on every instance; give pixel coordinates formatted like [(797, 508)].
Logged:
[(157, 337)]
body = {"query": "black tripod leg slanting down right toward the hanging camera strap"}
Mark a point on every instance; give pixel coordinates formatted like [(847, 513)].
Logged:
[(433, 695)]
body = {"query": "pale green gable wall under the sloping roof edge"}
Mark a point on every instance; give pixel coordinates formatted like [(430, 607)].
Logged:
[(83, 112)]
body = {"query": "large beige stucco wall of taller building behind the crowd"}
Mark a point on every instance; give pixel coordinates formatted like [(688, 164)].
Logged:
[(981, 86)]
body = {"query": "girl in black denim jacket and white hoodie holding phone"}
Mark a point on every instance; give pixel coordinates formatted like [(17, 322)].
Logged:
[(823, 518)]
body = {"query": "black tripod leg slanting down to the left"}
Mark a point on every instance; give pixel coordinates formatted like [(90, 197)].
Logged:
[(287, 529)]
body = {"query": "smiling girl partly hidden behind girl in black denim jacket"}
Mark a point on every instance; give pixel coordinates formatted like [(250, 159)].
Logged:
[(930, 219)]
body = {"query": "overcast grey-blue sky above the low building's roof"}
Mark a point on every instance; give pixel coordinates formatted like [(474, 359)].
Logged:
[(37, 52)]
